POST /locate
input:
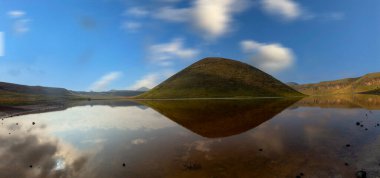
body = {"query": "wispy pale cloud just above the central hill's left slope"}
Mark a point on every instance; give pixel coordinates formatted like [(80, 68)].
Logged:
[(164, 53)]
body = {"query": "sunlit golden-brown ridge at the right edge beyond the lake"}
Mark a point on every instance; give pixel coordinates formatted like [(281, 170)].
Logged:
[(369, 83)]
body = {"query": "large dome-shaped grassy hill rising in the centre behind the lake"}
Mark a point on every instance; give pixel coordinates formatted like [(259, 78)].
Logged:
[(218, 77)]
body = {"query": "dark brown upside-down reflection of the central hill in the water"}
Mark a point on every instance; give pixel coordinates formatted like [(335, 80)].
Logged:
[(220, 118)]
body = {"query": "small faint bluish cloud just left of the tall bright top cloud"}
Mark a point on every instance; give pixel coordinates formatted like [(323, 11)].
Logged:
[(173, 14)]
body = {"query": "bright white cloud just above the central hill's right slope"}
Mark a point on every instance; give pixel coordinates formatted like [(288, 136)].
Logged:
[(269, 57)]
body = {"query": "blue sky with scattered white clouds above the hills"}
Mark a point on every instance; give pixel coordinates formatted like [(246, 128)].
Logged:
[(118, 44)]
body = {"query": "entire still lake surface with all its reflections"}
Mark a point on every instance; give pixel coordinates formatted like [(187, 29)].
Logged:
[(318, 137)]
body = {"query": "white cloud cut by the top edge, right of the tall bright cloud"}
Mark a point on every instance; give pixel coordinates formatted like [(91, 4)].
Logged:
[(286, 9)]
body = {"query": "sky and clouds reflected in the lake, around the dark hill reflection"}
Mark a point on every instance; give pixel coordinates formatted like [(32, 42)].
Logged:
[(96, 141)]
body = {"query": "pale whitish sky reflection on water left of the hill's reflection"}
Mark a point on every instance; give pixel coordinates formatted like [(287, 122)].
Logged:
[(86, 126)]
